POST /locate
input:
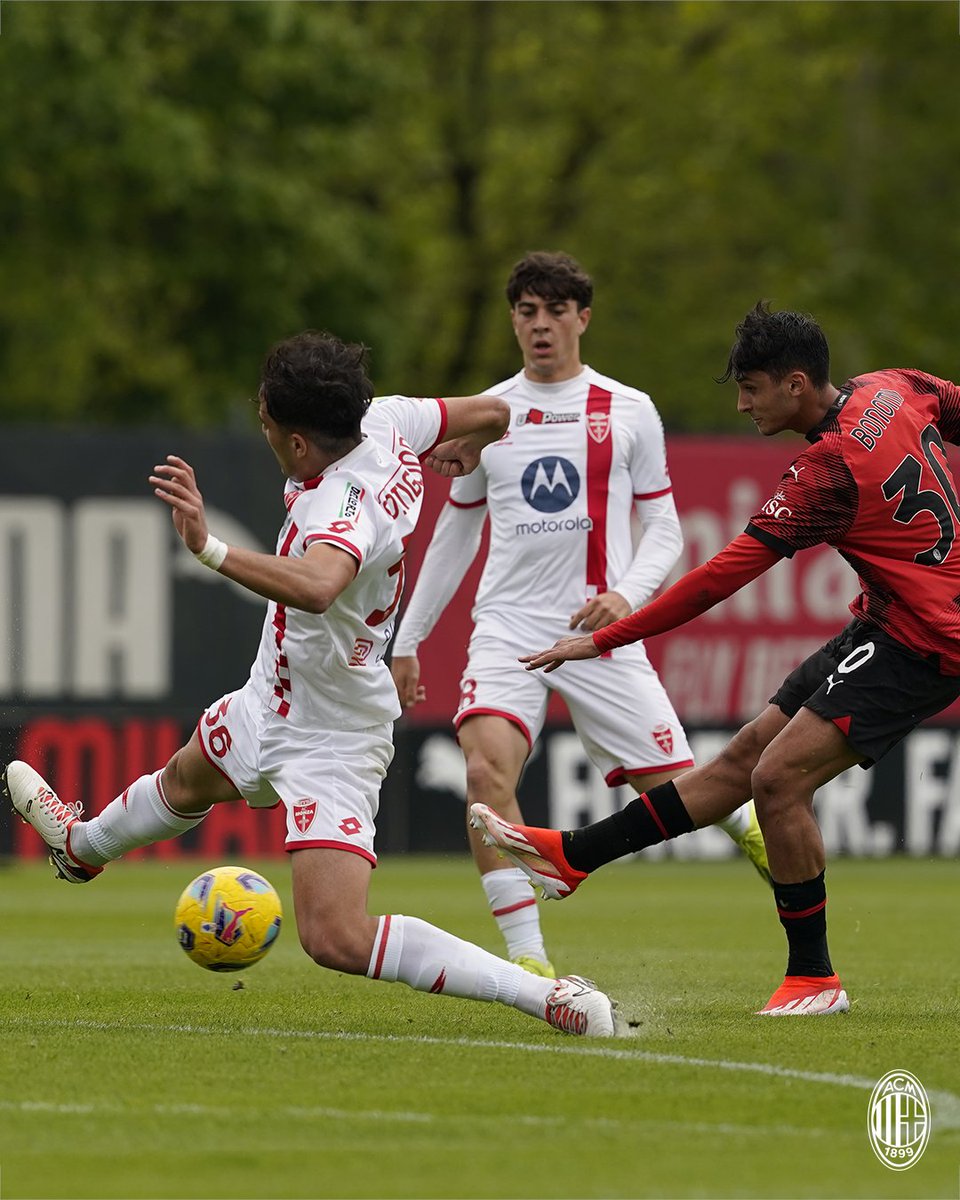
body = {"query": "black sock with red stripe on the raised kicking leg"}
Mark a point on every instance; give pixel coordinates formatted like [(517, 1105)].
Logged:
[(651, 819)]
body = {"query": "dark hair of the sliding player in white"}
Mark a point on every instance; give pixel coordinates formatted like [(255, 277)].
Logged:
[(316, 385)]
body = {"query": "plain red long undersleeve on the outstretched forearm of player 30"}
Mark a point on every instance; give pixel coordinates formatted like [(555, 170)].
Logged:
[(736, 566)]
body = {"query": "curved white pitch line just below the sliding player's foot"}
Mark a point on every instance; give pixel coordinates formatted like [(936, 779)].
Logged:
[(946, 1105)]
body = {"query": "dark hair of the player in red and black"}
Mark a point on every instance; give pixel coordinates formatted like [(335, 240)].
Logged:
[(777, 344)]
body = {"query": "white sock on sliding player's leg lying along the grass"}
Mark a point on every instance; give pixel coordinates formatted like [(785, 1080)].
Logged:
[(410, 951)]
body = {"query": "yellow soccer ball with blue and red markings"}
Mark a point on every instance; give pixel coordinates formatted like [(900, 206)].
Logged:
[(229, 919)]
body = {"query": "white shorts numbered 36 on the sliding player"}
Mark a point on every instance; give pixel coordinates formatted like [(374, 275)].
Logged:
[(328, 781)]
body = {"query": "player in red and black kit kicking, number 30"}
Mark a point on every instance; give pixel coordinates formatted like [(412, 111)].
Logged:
[(875, 484)]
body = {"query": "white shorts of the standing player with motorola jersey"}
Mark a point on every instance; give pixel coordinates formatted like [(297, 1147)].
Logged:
[(617, 705)]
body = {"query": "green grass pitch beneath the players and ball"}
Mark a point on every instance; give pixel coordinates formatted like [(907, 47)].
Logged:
[(125, 1071)]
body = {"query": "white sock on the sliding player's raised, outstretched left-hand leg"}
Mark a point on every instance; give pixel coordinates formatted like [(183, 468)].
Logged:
[(139, 818)]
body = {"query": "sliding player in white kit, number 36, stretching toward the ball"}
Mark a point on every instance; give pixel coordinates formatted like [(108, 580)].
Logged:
[(313, 725)]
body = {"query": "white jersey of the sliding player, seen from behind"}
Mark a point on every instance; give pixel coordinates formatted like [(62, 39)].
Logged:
[(327, 670)]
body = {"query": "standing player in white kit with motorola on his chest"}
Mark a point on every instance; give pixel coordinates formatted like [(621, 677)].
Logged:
[(584, 453)]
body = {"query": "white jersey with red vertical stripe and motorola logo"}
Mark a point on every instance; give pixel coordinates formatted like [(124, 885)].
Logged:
[(560, 489)]
